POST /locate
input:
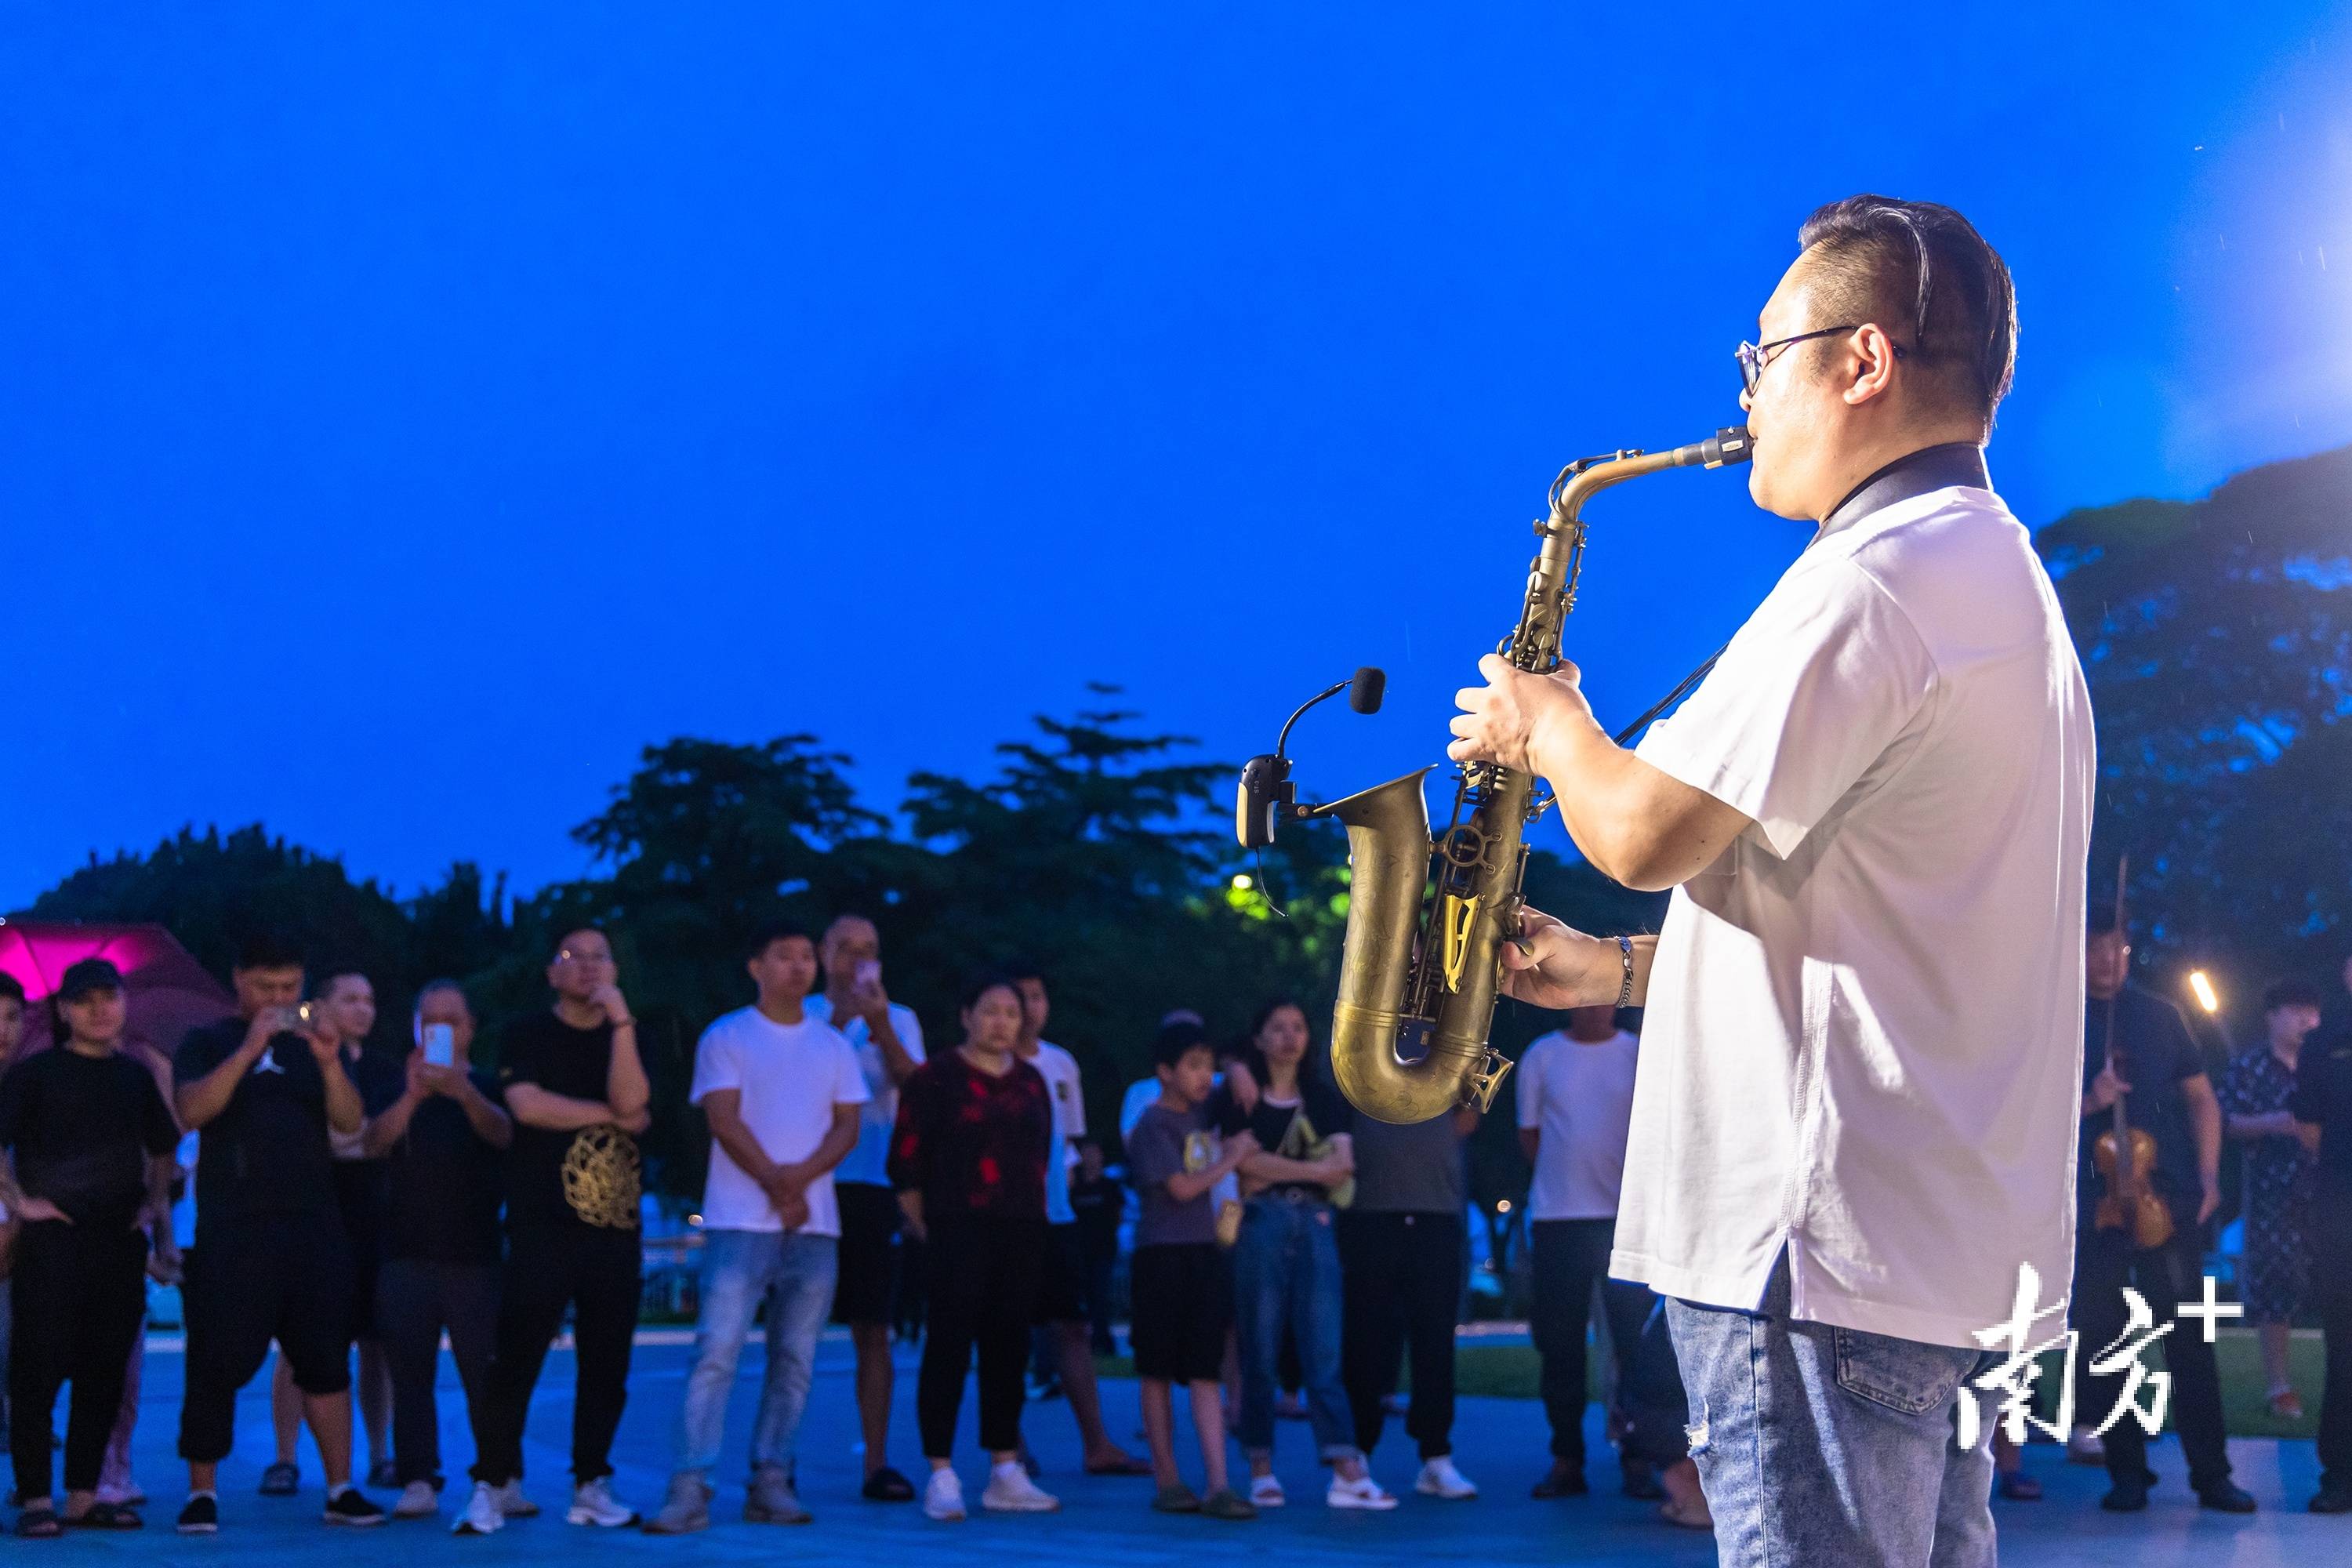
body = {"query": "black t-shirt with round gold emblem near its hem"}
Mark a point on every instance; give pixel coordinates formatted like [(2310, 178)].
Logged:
[(568, 1174)]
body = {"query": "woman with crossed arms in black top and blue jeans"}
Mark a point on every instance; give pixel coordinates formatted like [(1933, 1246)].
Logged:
[(1288, 1259)]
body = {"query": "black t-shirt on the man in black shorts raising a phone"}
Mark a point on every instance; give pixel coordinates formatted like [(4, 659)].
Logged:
[(267, 1153)]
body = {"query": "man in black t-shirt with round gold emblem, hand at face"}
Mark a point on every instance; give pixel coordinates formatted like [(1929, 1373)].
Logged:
[(577, 1092)]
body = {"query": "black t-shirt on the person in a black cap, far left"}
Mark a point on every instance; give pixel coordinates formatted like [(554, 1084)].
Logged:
[(81, 1130)]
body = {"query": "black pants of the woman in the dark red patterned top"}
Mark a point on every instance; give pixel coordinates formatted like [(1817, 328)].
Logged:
[(984, 1282)]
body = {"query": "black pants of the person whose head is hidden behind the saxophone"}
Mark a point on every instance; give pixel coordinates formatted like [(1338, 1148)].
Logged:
[(1401, 1287)]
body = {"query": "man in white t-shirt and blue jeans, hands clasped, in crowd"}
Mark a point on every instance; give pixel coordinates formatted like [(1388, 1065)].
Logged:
[(782, 1094)]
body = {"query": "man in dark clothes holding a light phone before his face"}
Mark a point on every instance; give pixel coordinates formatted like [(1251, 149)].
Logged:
[(443, 1146)]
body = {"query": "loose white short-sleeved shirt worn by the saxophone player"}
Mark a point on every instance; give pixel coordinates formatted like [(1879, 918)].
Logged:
[(1864, 1033)]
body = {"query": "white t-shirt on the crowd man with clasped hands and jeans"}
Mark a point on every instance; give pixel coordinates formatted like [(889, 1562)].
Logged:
[(791, 1076)]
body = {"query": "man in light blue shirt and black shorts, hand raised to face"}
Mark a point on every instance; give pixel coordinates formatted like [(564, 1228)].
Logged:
[(890, 1047)]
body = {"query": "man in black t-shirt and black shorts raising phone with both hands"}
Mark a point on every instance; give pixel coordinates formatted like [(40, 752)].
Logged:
[(269, 1259)]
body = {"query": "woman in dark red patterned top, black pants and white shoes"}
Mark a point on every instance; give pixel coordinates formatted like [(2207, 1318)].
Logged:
[(968, 1162)]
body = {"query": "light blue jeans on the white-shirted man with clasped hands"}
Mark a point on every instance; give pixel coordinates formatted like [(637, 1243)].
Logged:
[(742, 1268)]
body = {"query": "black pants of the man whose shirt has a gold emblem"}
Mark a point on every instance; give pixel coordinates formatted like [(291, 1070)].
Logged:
[(554, 1266)]
